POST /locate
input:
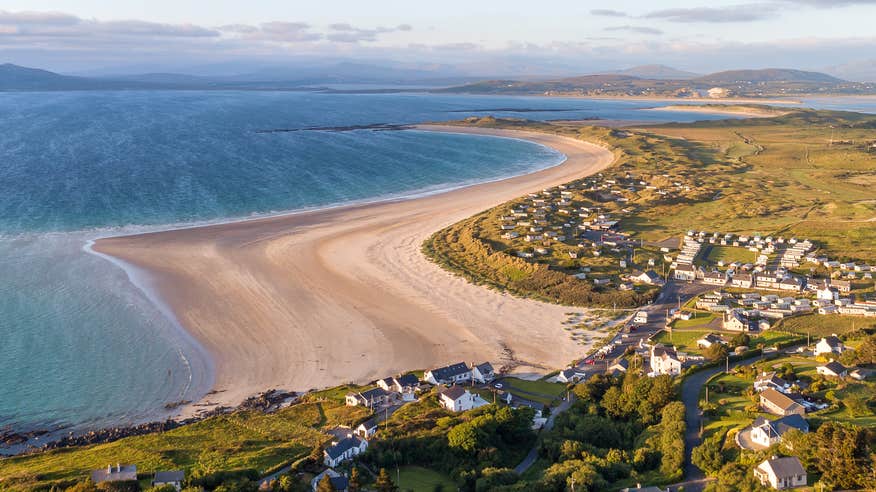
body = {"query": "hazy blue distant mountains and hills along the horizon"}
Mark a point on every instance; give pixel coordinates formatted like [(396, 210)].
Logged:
[(647, 80)]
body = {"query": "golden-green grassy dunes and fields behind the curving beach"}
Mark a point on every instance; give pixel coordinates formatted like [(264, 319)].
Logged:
[(807, 174)]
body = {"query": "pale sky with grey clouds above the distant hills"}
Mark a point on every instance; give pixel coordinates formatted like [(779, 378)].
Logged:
[(474, 37)]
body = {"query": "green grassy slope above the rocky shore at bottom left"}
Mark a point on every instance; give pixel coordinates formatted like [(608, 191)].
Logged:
[(238, 441)]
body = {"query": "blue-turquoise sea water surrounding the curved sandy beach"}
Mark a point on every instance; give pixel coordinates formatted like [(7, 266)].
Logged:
[(84, 346)]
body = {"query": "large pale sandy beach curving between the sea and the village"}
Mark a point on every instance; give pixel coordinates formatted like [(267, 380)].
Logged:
[(319, 298)]
